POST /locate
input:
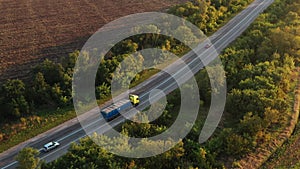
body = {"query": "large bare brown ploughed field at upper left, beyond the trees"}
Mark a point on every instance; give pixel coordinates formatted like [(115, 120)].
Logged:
[(31, 31)]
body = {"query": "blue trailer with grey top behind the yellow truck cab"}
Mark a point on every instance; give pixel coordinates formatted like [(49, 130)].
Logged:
[(114, 110)]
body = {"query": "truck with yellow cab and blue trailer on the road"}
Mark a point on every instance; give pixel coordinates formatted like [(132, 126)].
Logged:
[(114, 110)]
